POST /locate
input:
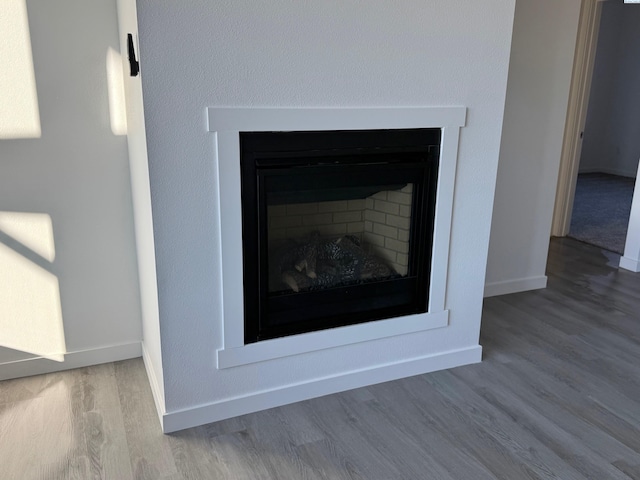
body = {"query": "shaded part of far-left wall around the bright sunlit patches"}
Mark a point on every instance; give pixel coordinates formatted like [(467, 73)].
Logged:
[(77, 172)]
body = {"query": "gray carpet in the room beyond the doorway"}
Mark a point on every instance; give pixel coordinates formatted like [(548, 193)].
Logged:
[(601, 210)]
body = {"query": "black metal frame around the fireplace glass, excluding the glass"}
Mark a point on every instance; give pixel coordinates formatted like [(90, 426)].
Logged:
[(320, 158)]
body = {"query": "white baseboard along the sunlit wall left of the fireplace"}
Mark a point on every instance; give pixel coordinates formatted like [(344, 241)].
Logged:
[(78, 359)]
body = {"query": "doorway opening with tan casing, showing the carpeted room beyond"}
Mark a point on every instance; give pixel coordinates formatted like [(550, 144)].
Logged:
[(601, 150)]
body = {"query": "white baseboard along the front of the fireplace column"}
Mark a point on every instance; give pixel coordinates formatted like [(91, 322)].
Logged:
[(233, 407)]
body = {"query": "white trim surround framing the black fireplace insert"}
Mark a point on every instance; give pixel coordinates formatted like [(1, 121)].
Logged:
[(227, 123)]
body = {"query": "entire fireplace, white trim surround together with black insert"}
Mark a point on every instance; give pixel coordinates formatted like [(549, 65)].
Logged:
[(413, 154)]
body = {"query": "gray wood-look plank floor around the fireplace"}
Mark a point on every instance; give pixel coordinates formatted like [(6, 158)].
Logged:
[(556, 397)]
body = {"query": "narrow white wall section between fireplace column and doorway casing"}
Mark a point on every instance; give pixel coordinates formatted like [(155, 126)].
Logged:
[(544, 38)]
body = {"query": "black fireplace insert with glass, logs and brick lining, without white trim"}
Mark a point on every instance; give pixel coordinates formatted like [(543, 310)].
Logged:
[(337, 227)]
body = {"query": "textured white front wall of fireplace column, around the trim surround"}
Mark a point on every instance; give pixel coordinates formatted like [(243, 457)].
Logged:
[(306, 53)]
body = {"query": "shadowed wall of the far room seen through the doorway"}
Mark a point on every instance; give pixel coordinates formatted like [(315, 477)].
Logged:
[(611, 142)]
